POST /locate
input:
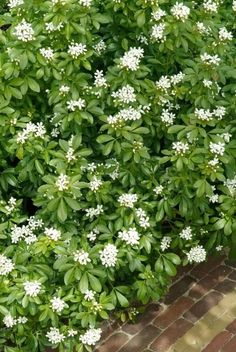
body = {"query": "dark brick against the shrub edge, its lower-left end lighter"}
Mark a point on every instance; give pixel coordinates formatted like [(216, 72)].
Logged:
[(151, 312)]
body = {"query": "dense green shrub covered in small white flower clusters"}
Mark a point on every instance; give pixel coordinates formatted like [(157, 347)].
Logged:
[(117, 158)]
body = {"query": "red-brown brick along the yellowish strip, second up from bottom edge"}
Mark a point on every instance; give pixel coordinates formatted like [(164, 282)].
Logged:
[(202, 306)]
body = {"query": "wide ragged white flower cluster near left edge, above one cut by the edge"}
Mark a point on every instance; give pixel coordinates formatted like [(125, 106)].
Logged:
[(25, 232)]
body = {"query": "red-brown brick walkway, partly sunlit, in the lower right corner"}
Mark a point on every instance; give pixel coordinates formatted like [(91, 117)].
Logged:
[(197, 315)]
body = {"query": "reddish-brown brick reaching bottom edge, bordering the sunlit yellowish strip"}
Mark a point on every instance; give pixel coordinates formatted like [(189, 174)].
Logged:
[(170, 335)]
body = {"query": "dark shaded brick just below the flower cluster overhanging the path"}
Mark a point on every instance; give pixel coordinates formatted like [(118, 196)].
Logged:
[(179, 288)]
